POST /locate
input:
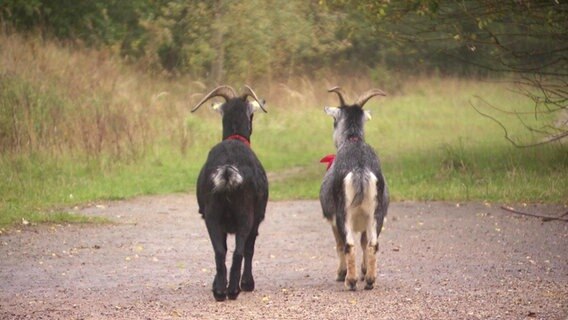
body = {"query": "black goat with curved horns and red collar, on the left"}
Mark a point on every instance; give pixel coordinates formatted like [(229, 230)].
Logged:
[(232, 191)]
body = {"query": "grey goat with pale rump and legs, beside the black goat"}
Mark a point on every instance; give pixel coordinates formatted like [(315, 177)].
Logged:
[(354, 195)]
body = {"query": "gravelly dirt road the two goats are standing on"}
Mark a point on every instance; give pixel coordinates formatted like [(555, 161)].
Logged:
[(436, 261)]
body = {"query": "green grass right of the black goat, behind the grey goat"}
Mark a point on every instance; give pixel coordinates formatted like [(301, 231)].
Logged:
[(434, 146)]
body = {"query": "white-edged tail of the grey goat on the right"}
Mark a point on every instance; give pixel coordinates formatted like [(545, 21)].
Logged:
[(360, 186)]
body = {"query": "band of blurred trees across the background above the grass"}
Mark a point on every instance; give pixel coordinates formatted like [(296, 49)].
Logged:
[(232, 41)]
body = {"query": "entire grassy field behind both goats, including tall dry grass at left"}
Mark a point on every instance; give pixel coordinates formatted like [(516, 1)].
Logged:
[(69, 139)]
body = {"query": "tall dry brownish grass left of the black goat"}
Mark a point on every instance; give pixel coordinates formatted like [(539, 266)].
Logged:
[(58, 100)]
